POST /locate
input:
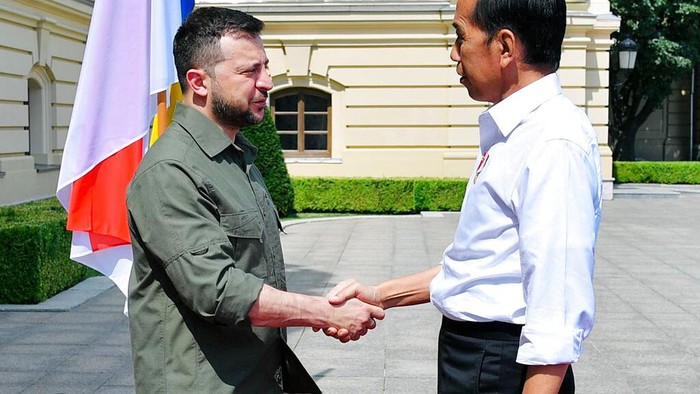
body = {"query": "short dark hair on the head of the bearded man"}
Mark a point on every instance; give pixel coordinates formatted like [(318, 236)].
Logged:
[(197, 42)]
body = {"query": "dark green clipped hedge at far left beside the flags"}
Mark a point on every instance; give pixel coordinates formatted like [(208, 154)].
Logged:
[(34, 253)]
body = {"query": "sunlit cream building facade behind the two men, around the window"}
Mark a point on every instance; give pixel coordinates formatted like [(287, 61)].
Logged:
[(398, 109)]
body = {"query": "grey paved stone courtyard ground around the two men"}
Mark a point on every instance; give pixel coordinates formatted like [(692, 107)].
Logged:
[(644, 341)]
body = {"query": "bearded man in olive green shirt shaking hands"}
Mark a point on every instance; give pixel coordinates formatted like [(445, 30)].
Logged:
[(207, 299)]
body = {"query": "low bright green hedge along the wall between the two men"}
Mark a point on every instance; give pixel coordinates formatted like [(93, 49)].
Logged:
[(377, 195)]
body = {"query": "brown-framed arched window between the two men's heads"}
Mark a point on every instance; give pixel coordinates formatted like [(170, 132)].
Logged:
[(302, 118)]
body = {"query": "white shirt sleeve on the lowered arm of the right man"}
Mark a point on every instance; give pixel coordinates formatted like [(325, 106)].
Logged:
[(558, 210)]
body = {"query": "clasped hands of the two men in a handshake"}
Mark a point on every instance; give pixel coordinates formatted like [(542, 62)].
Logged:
[(360, 303)]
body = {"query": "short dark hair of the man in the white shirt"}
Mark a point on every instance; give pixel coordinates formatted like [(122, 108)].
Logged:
[(539, 24)]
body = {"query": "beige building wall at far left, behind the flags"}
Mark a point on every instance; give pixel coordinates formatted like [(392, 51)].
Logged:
[(41, 48)]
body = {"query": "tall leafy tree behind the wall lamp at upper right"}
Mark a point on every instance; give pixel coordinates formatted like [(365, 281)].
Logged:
[(667, 33)]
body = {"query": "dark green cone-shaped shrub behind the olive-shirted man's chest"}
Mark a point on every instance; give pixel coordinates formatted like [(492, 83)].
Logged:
[(270, 162)]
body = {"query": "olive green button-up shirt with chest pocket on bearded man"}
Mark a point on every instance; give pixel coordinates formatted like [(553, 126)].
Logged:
[(205, 238)]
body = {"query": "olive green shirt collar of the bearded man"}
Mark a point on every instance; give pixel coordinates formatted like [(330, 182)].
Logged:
[(210, 138)]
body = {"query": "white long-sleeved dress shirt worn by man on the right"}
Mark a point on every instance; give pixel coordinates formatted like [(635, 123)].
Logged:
[(523, 251)]
